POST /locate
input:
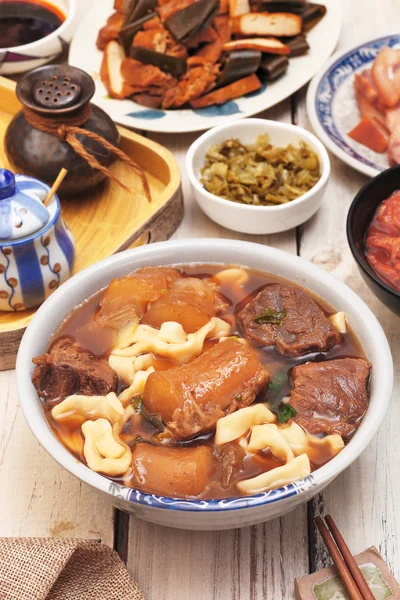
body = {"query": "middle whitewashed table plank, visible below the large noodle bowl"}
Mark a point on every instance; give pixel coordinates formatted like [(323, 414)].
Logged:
[(255, 563)]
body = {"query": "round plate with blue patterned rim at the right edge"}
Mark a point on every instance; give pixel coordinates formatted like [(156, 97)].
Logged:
[(332, 106)]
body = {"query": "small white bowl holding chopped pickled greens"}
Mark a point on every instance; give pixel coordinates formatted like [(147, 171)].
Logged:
[(256, 219)]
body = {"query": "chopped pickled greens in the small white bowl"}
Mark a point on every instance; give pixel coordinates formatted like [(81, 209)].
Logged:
[(260, 174)]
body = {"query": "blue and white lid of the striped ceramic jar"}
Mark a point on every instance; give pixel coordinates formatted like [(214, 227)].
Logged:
[(22, 212)]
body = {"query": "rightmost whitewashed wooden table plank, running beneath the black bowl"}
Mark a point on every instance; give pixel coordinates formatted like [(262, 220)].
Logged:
[(364, 500)]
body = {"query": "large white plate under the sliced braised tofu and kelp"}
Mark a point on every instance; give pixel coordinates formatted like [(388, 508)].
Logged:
[(85, 55)]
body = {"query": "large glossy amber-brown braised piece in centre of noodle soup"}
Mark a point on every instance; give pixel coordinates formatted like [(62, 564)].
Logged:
[(191, 398)]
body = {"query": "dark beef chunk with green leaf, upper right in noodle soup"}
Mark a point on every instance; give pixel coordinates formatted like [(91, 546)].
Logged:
[(286, 317)]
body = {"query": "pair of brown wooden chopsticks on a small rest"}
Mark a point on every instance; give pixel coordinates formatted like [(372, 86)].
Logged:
[(349, 571)]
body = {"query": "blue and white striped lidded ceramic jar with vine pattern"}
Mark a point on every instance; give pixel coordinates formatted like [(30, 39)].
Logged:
[(37, 250)]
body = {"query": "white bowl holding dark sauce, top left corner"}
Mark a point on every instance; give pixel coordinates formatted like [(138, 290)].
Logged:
[(20, 59)]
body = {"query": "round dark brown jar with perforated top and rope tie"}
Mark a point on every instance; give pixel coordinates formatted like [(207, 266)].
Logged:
[(59, 95)]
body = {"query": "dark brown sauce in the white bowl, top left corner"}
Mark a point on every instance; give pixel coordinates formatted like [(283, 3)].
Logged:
[(26, 21)]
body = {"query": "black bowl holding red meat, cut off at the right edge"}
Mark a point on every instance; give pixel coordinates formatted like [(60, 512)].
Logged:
[(360, 216)]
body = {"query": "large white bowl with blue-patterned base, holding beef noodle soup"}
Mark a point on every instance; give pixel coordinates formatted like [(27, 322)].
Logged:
[(211, 514)]
